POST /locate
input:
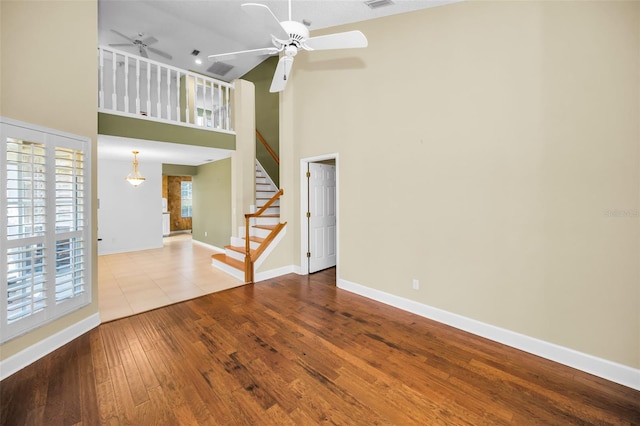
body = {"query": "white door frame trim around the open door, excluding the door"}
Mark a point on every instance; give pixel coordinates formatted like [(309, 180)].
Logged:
[(304, 208)]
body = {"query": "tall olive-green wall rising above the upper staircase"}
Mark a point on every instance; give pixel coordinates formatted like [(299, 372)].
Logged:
[(267, 115)]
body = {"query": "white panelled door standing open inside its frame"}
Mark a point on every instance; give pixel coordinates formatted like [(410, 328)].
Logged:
[(322, 216)]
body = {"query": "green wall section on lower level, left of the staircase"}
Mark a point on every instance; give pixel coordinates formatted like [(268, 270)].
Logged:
[(212, 203)]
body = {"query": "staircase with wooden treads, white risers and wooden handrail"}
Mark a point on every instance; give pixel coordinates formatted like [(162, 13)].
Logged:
[(263, 231)]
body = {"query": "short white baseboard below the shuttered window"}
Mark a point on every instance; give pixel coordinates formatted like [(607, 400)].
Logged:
[(33, 353)]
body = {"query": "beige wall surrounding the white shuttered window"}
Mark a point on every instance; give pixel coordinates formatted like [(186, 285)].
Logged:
[(48, 78)]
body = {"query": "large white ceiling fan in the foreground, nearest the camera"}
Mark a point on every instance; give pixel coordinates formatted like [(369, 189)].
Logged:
[(288, 37)]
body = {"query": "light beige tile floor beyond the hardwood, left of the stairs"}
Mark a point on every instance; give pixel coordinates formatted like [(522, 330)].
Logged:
[(134, 282)]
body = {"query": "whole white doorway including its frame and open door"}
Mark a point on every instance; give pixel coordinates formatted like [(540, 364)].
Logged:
[(319, 186)]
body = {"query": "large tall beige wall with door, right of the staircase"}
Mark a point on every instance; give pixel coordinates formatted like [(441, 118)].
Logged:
[(484, 149)]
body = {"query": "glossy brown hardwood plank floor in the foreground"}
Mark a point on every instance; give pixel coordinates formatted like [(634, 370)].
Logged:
[(296, 350)]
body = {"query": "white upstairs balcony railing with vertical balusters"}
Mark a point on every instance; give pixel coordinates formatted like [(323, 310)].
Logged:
[(139, 87)]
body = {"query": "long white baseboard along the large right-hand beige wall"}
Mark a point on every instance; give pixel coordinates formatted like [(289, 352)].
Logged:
[(608, 370)]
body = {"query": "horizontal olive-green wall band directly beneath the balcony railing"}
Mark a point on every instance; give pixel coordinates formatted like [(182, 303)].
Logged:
[(128, 127)]
